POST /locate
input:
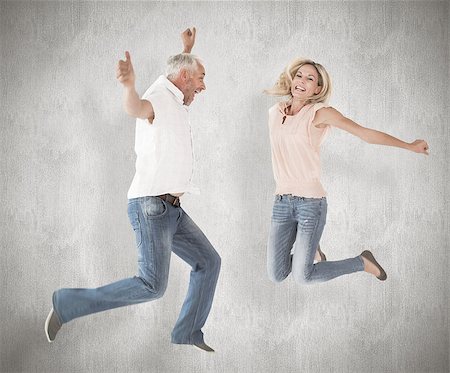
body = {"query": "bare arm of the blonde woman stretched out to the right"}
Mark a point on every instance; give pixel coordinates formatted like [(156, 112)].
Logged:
[(330, 116)]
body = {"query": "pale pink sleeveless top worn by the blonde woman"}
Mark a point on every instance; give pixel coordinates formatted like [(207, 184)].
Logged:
[(295, 144)]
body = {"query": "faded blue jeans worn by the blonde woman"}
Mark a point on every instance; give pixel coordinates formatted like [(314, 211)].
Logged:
[(296, 228)]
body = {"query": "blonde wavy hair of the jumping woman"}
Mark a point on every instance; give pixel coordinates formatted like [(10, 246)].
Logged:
[(283, 86)]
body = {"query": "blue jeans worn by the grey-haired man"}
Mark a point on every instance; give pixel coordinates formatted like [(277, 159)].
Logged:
[(160, 228)]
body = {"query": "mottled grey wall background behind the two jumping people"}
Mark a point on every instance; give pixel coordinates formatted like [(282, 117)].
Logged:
[(67, 161)]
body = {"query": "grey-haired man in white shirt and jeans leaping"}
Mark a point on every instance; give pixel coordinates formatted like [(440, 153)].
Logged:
[(163, 173)]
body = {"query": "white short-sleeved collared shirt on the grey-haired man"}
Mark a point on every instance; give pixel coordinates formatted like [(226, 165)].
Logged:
[(164, 162)]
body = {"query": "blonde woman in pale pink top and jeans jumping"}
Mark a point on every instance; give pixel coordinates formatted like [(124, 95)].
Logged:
[(297, 128)]
